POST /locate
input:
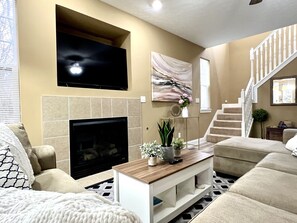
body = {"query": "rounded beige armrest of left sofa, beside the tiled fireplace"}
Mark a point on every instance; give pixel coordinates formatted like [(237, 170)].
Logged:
[(46, 156)]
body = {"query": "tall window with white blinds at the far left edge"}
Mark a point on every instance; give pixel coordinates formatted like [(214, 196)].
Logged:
[(9, 80)]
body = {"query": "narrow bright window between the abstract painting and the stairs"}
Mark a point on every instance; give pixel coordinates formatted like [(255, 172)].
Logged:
[(204, 85)]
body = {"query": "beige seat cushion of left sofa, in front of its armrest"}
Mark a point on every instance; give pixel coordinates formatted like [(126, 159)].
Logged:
[(56, 180)]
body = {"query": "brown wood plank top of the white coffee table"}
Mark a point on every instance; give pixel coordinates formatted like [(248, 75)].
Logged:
[(140, 170)]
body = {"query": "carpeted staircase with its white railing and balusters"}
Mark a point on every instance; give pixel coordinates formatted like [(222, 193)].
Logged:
[(267, 59)]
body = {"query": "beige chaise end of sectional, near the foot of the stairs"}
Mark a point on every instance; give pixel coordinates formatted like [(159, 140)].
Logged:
[(248, 149)]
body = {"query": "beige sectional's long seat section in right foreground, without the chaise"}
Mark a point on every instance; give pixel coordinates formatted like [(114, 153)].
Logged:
[(267, 193)]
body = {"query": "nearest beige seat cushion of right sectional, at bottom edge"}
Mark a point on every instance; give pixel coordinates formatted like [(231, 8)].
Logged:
[(231, 207)]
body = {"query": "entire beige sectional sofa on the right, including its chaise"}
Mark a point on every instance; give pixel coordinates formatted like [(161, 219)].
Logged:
[(265, 193)]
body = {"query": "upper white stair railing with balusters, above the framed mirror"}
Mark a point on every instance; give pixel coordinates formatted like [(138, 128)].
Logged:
[(271, 55)]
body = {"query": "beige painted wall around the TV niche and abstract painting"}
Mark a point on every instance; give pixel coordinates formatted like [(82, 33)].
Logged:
[(36, 29)]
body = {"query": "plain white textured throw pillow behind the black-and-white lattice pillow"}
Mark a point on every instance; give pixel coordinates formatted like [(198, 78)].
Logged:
[(7, 137)]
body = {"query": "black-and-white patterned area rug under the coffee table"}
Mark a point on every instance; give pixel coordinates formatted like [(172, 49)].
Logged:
[(221, 183)]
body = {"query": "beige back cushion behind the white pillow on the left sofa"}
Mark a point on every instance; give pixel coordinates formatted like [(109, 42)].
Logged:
[(20, 132)]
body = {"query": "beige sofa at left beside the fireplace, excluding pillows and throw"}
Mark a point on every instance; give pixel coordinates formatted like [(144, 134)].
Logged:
[(43, 161)]
